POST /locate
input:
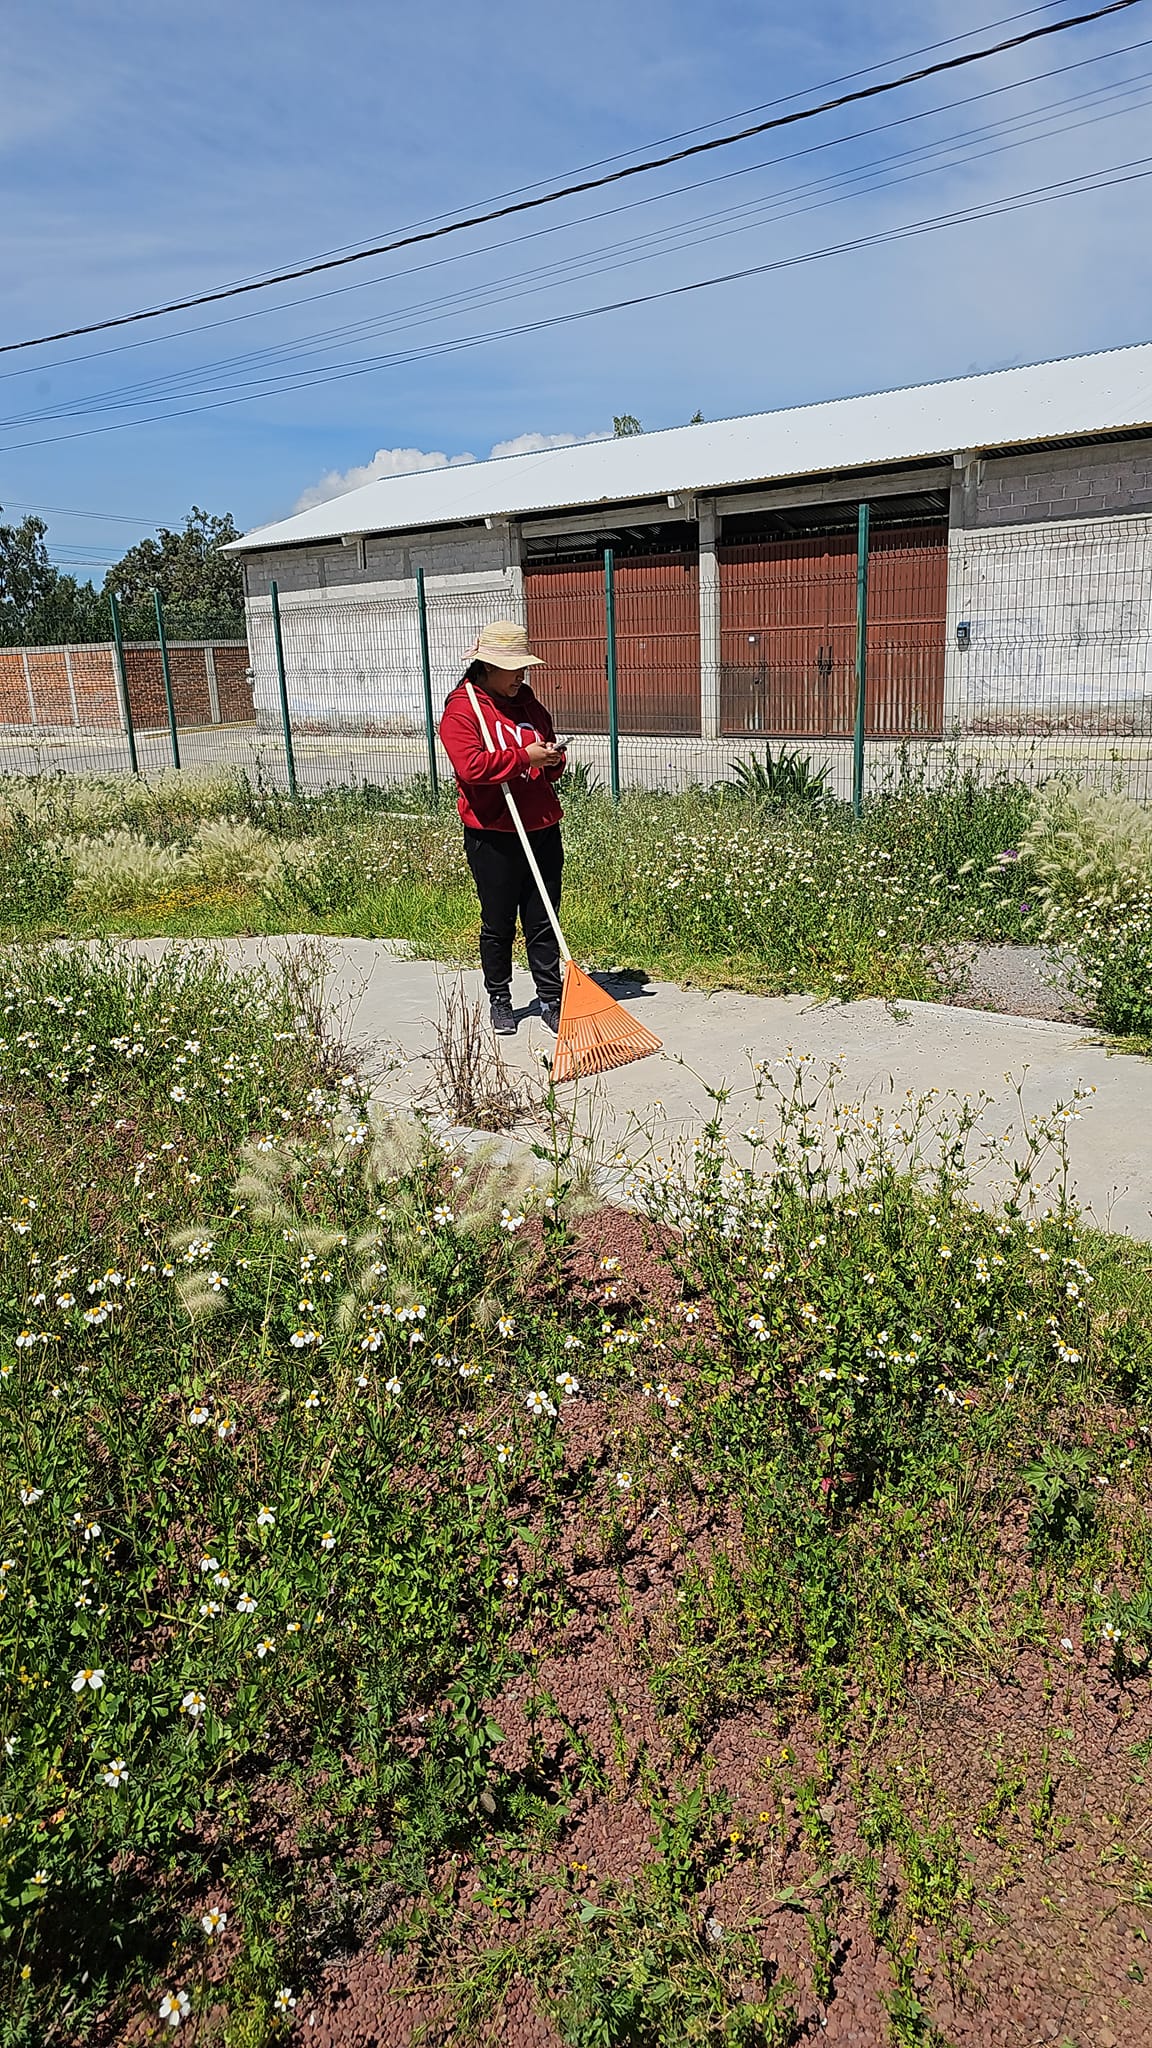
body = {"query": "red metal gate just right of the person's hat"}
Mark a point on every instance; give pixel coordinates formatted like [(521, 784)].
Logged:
[(657, 642)]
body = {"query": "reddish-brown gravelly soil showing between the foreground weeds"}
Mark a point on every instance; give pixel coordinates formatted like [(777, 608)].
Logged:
[(1036, 1775)]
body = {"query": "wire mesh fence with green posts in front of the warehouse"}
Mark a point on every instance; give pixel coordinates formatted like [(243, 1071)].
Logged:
[(1014, 650)]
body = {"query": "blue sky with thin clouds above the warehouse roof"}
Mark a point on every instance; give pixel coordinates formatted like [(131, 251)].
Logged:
[(155, 153)]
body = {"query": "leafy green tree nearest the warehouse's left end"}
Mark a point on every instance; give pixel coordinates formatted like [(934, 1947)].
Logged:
[(200, 585)]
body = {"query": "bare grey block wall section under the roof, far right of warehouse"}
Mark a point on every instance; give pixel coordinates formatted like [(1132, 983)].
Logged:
[(1018, 490)]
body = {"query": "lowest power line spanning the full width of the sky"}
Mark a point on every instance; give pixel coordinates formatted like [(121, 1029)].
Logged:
[(1116, 175)]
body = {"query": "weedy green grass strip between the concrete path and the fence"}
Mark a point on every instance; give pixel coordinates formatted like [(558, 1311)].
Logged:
[(704, 888)]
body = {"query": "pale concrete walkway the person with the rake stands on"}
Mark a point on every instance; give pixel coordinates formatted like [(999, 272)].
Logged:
[(386, 1007)]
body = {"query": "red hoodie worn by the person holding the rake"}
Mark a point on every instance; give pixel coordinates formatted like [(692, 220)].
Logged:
[(513, 724)]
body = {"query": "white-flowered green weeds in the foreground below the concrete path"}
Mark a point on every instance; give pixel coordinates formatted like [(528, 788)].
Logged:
[(261, 1347)]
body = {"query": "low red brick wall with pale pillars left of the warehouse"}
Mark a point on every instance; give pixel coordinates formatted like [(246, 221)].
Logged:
[(77, 687)]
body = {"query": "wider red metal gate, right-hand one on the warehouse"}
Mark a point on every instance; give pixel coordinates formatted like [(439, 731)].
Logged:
[(788, 622)]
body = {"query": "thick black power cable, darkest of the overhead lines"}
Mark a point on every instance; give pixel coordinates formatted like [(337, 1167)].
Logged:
[(587, 185)]
